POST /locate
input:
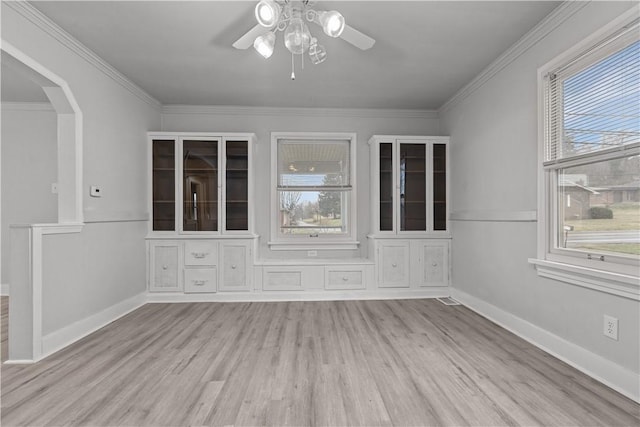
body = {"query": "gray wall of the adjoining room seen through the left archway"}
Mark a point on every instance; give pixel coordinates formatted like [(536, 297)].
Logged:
[(29, 144)]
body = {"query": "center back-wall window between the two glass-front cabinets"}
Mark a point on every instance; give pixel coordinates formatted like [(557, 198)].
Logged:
[(313, 180)]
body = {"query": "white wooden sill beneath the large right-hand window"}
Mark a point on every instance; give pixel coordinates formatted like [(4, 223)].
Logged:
[(623, 285)]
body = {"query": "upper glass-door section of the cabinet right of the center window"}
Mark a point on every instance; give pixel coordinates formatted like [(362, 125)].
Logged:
[(409, 184)]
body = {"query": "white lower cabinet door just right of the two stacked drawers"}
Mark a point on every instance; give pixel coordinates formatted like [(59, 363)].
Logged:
[(235, 261)]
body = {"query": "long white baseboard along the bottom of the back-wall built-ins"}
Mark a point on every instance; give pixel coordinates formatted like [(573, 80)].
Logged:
[(283, 296)]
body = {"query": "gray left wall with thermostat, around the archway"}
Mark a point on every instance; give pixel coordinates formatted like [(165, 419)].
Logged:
[(104, 265)]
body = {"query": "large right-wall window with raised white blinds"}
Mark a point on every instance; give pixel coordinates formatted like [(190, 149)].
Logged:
[(590, 216)]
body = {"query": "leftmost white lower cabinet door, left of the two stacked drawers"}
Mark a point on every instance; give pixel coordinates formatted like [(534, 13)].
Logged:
[(164, 267)]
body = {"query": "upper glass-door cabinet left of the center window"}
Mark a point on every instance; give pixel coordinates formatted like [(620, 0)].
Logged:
[(201, 184)]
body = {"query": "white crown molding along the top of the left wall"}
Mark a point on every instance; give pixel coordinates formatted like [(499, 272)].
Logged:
[(48, 26)]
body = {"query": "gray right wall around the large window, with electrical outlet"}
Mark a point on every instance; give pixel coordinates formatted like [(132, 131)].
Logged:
[(494, 161)]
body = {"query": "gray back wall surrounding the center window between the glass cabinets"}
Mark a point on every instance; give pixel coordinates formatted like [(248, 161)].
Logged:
[(364, 123)]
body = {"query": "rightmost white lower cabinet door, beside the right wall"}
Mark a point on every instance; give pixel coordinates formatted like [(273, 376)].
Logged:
[(432, 262)]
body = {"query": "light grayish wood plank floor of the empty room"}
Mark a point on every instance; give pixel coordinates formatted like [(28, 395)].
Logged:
[(411, 362)]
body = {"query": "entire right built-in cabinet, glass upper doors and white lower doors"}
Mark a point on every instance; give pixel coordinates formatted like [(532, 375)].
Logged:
[(410, 239)]
